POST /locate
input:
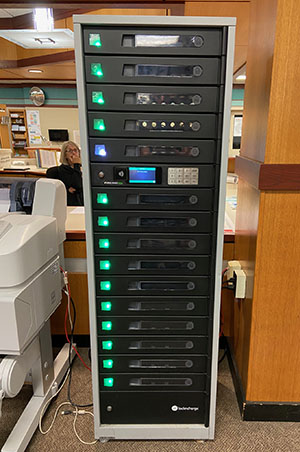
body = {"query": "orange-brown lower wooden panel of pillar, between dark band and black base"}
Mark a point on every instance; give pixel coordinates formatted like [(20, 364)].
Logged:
[(274, 362)]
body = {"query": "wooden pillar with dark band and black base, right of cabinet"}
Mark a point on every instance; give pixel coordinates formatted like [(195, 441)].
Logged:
[(266, 339)]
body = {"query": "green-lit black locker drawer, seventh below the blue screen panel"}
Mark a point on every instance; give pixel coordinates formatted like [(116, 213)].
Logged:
[(153, 326)]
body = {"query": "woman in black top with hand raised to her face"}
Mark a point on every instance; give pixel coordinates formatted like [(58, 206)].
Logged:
[(69, 172)]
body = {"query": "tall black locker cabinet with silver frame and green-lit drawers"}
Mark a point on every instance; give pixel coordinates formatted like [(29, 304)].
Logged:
[(154, 105)]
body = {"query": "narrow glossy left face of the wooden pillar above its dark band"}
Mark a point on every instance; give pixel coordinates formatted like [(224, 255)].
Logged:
[(258, 82)]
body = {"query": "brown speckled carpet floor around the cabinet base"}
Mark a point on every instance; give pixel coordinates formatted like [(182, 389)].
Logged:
[(231, 433)]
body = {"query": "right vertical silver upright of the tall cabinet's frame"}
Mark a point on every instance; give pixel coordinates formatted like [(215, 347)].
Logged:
[(221, 220)]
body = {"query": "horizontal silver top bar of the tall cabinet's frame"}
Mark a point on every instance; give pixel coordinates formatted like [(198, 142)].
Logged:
[(182, 21)]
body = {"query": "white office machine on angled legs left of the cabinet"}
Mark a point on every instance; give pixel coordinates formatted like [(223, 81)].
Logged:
[(30, 291)]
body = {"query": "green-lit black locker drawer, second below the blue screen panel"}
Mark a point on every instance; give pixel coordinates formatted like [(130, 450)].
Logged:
[(129, 221)]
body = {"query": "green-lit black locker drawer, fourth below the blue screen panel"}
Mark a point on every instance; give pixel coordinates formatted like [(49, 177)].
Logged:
[(152, 265)]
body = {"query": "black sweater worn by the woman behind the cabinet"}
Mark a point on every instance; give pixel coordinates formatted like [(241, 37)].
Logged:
[(71, 177)]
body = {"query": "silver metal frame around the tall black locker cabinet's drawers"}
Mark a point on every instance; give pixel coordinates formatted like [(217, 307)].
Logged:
[(164, 431)]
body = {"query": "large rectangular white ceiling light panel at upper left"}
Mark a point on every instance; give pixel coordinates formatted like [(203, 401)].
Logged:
[(31, 39)]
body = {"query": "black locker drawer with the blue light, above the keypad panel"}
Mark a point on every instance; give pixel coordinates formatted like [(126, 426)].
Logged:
[(149, 150)]
